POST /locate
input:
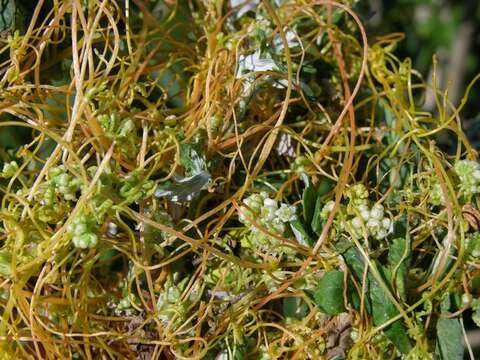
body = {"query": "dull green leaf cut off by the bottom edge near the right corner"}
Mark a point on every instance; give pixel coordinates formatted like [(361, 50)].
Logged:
[(449, 340)]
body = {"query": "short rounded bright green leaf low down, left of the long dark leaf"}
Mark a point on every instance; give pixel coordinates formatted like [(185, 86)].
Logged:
[(328, 295)]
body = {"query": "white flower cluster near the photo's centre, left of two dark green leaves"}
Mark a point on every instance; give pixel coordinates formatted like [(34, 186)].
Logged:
[(266, 213)]
